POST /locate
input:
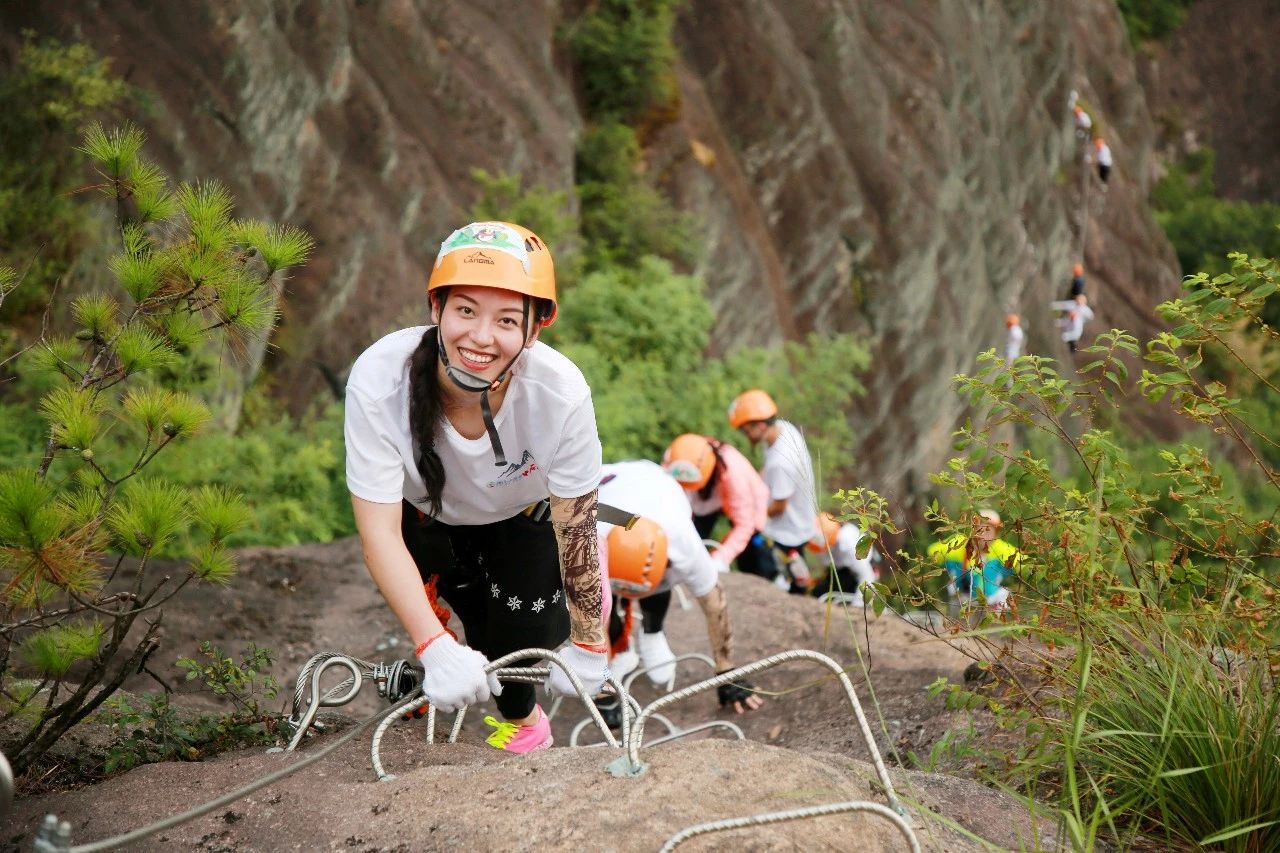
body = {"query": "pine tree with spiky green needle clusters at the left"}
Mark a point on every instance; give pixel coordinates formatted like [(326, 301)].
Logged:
[(189, 285)]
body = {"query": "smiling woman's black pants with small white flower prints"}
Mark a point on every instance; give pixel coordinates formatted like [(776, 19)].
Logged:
[(505, 585)]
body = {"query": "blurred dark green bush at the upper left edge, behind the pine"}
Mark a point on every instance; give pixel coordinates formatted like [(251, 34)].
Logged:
[(52, 92)]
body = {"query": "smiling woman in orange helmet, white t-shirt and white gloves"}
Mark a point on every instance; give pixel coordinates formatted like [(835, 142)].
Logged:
[(442, 509)]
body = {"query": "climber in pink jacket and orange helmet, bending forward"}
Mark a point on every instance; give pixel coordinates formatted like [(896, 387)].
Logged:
[(720, 481)]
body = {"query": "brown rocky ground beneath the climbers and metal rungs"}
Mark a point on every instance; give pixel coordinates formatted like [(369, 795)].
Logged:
[(802, 749)]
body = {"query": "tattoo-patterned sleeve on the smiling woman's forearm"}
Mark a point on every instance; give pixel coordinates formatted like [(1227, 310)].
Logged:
[(574, 521)]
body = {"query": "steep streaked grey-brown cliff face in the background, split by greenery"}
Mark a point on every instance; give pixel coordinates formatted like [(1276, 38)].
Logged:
[(907, 172)]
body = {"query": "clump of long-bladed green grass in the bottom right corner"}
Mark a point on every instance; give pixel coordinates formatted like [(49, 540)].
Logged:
[(1173, 740)]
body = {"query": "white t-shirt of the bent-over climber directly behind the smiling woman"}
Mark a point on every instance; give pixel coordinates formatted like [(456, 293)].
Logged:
[(646, 490)]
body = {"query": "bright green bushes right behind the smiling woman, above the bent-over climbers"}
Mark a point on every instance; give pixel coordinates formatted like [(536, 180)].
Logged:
[(641, 336)]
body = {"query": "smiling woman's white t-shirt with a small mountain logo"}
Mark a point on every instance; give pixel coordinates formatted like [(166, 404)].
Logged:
[(547, 426)]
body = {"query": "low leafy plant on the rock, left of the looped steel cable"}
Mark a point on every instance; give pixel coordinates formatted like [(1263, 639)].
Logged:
[(157, 732)]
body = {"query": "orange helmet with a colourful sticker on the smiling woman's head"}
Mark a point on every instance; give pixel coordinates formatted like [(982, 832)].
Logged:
[(497, 254)]
